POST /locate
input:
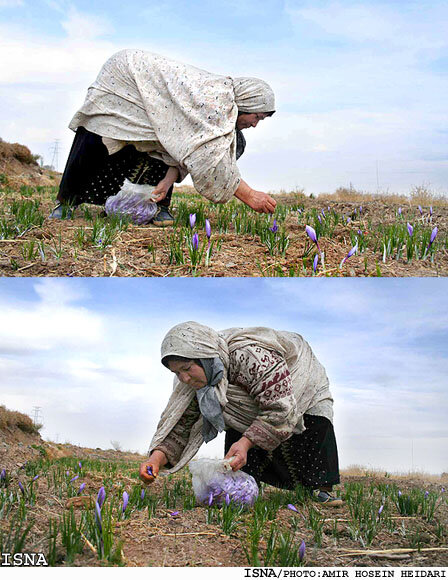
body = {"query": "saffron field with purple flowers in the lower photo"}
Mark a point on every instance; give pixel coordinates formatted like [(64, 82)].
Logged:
[(86, 507)]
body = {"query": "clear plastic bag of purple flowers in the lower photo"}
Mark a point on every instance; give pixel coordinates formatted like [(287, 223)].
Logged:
[(214, 483)]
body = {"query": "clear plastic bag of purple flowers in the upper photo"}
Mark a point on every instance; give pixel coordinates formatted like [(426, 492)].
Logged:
[(134, 201)]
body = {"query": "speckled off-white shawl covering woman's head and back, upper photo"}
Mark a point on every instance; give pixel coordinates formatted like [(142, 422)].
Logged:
[(187, 115)]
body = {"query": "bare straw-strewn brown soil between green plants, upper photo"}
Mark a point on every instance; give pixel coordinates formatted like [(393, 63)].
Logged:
[(140, 251)]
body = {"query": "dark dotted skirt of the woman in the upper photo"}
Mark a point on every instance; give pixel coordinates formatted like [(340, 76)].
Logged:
[(91, 175)]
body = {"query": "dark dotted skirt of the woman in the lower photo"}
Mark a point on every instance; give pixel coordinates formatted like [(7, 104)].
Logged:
[(309, 459)]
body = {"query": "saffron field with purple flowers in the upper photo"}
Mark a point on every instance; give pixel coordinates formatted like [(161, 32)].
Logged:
[(345, 234)]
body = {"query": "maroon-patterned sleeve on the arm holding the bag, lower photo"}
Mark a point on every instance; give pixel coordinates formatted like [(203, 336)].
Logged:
[(265, 376)]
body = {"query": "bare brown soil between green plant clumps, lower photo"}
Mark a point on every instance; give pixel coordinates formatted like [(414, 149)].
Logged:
[(186, 539)]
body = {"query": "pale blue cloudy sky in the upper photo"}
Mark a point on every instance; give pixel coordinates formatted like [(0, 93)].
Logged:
[(361, 86)]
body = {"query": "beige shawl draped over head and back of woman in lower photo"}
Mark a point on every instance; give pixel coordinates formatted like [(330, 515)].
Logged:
[(196, 341)]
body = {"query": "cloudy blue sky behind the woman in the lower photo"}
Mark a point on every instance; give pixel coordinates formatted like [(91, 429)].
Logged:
[(86, 352)]
